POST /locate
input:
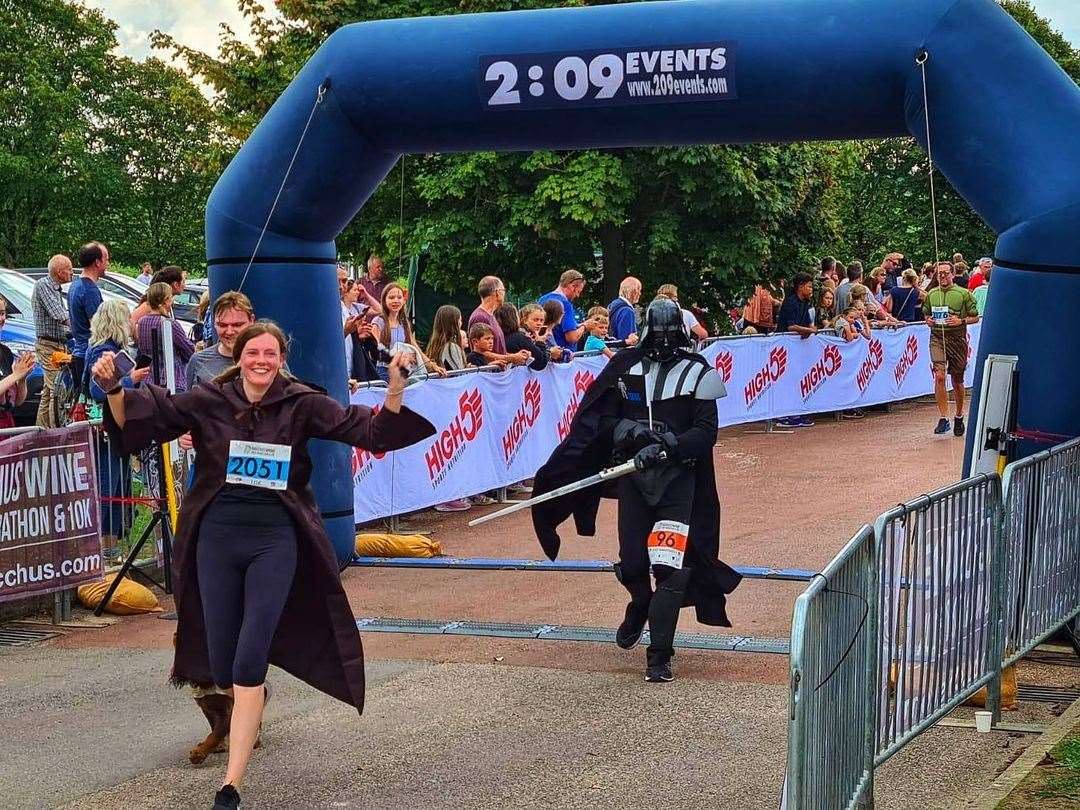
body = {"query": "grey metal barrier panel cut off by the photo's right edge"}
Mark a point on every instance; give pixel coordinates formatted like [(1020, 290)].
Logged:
[(1043, 546)]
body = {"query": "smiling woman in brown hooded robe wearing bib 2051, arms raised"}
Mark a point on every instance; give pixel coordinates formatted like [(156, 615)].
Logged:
[(251, 497)]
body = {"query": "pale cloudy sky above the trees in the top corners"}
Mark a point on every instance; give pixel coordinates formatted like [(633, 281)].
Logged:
[(196, 22)]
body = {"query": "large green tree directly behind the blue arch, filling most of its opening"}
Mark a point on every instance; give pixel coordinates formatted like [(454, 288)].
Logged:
[(712, 219)]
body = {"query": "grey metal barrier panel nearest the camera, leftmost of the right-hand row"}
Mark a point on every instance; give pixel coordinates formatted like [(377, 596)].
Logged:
[(831, 757)]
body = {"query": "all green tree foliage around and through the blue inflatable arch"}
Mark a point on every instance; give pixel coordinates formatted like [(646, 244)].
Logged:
[(107, 148)]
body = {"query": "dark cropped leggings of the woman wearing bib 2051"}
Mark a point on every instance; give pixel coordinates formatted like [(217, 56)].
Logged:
[(246, 574)]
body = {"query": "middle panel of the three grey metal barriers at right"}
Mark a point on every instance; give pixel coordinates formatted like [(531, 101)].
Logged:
[(937, 595)]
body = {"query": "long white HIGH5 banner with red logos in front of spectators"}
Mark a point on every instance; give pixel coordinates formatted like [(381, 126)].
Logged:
[(497, 429)]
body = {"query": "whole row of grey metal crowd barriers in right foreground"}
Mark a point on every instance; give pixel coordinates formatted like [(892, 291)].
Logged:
[(911, 620)]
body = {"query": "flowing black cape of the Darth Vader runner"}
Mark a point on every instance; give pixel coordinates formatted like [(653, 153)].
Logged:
[(586, 451)]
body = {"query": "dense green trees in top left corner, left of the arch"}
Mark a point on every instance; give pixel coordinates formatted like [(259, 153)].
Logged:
[(96, 145)]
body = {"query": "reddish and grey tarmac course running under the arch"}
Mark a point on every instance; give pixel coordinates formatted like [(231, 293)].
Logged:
[(87, 721)]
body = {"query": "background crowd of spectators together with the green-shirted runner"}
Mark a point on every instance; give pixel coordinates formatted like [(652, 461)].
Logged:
[(846, 301)]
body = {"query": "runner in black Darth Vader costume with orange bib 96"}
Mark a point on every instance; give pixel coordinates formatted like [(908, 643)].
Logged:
[(669, 514)]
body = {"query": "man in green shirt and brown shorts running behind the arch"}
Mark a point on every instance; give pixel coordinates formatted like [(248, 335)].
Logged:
[(950, 309)]
